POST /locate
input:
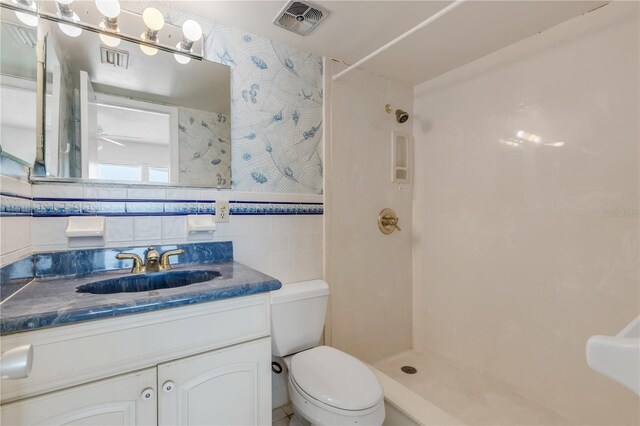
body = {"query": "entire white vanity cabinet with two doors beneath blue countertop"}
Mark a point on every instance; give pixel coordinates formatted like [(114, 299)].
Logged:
[(207, 364)]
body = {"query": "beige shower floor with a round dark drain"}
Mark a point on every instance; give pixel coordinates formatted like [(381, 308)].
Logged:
[(464, 395)]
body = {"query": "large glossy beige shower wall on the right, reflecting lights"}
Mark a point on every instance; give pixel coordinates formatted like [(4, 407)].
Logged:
[(525, 211)]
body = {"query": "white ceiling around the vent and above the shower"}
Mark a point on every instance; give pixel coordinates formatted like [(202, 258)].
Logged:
[(356, 28)]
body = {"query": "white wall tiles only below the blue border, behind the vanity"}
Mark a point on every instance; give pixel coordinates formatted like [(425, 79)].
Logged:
[(286, 247)]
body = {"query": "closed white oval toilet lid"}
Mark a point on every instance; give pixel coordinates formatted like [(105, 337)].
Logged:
[(336, 378)]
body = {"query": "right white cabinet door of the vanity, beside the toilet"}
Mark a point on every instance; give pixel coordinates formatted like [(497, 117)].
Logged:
[(230, 386)]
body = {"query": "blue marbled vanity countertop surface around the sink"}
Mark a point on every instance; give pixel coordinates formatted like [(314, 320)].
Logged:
[(53, 301)]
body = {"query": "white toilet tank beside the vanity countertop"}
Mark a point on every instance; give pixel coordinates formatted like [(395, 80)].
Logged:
[(297, 316)]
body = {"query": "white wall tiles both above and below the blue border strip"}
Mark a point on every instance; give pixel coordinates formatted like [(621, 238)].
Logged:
[(289, 248)]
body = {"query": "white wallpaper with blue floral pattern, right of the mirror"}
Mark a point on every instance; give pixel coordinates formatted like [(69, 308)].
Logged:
[(276, 126)]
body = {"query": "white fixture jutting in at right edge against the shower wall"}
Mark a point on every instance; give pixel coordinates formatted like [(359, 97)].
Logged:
[(618, 357)]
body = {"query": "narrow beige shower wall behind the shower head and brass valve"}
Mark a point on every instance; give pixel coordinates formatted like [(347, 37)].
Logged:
[(369, 272)]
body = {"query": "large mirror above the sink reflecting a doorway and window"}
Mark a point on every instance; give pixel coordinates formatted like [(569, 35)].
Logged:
[(117, 114)]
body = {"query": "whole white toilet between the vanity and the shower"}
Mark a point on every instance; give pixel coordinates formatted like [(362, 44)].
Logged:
[(326, 386)]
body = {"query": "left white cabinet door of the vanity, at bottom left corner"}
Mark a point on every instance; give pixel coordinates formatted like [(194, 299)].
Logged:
[(117, 401)]
